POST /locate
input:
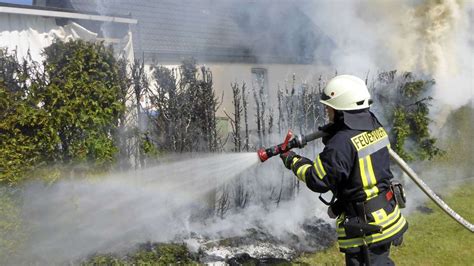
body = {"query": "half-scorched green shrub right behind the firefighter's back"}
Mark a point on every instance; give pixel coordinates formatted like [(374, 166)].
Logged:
[(406, 108)]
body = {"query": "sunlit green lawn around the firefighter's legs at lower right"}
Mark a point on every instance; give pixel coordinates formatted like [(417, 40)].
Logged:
[(432, 239)]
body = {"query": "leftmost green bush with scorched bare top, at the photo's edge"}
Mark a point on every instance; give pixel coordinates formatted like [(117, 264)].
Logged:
[(27, 137)]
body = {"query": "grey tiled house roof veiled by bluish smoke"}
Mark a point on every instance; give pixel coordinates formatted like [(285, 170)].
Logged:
[(212, 30)]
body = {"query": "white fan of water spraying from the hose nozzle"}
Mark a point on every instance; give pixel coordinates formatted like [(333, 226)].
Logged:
[(74, 218)]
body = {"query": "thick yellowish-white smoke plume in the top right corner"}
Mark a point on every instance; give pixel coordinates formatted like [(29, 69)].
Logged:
[(435, 38)]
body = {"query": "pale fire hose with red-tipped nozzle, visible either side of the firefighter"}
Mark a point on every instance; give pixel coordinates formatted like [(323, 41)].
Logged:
[(299, 141)]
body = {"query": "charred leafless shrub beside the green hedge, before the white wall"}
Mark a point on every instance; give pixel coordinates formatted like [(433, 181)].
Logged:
[(186, 105)]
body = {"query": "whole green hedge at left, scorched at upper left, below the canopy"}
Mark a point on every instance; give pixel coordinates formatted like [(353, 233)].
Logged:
[(64, 111)]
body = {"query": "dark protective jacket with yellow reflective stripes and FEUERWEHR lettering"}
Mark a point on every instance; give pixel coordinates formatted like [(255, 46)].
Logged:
[(355, 166)]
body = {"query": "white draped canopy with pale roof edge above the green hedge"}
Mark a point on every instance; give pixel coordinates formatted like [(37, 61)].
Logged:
[(28, 29)]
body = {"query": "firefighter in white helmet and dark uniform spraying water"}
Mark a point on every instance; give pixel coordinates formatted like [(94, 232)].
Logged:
[(354, 165)]
